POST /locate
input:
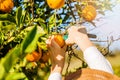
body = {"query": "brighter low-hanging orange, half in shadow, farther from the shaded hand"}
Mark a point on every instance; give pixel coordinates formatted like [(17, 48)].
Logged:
[(34, 56)]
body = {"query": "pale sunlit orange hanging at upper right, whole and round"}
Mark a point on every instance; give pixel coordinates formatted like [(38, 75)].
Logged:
[(89, 13)]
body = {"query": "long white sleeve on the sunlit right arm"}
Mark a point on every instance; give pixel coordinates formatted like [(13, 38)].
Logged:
[(96, 60)]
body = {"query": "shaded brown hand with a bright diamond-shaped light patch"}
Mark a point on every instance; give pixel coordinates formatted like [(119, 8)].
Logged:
[(57, 54)]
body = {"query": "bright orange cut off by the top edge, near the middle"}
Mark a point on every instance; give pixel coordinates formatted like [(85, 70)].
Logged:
[(55, 4)]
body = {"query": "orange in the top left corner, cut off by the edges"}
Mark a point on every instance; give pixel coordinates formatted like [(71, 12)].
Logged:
[(6, 5)]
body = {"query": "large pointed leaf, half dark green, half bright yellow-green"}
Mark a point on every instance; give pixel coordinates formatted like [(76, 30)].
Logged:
[(29, 43)]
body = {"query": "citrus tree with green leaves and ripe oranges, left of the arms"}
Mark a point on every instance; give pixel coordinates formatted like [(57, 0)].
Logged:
[(25, 26)]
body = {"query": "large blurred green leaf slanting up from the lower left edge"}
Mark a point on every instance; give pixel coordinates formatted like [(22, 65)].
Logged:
[(8, 61)]
